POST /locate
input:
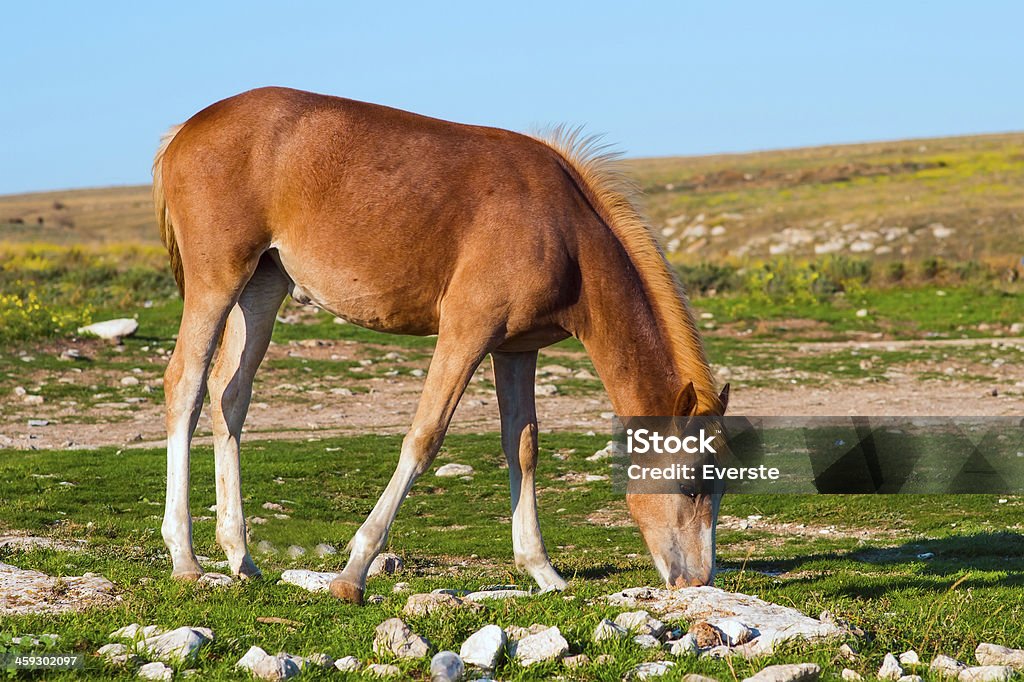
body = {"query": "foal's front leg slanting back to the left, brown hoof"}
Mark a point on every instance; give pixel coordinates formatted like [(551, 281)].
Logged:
[(455, 360)]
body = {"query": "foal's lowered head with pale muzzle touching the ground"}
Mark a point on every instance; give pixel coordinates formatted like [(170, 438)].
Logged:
[(678, 525)]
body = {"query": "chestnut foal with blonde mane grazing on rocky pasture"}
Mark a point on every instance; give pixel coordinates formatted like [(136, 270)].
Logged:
[(496, 242)]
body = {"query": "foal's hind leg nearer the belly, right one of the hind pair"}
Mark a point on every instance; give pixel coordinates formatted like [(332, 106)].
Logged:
[(247, 334)]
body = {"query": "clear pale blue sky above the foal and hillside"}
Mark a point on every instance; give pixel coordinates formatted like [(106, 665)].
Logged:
[(87, 89)]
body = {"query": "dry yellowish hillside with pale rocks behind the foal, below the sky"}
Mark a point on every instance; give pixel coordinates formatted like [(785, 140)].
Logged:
[(960, 198)]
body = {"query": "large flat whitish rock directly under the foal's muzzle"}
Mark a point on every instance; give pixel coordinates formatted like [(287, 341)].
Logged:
[(773, 624)]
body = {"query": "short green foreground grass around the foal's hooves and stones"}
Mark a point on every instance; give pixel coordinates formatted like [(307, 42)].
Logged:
[(456, 534)]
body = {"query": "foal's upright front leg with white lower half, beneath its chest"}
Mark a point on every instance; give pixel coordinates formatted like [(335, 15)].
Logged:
[(515, 376)]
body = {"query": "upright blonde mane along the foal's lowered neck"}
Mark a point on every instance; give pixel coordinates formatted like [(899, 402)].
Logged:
[(612, 194)]
